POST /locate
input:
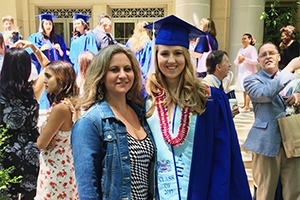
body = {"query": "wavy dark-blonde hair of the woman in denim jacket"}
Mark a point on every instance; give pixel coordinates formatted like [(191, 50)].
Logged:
[(98, 69)]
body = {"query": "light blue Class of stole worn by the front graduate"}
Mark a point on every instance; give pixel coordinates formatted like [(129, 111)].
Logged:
[(173, 162)]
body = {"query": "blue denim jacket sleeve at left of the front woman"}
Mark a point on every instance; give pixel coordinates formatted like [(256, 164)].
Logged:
[(85, 141)]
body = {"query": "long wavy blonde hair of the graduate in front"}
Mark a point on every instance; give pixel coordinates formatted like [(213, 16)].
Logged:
[(189, 87)]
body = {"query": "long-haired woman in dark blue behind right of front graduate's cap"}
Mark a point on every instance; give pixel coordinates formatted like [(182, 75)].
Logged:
[(207, 25)]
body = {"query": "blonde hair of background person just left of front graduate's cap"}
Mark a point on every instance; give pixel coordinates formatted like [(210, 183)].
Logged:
[(140, 37)]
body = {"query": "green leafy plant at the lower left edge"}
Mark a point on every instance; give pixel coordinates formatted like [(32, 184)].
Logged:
[(4, 173)]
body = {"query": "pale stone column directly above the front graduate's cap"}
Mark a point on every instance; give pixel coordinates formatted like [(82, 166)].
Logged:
[(192, 10)]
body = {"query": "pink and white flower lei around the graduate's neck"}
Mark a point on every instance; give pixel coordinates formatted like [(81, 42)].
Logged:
[(164, 125)]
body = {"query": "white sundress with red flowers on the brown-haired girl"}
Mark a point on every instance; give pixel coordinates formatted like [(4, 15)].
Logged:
[(57, 177)]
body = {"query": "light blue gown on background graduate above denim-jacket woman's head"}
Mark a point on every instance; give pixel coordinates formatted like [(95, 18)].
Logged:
[(82, 43)]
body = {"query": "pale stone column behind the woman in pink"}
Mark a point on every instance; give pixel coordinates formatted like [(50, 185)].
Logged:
[(244, 18)]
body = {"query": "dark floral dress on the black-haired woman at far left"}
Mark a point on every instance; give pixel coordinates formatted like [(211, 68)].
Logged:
[(21, 116)]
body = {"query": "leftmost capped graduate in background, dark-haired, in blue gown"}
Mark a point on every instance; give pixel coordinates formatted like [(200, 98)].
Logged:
[(51, 44)]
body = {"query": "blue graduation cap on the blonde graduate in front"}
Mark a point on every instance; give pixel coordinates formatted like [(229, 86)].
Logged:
[(173, 31)]
